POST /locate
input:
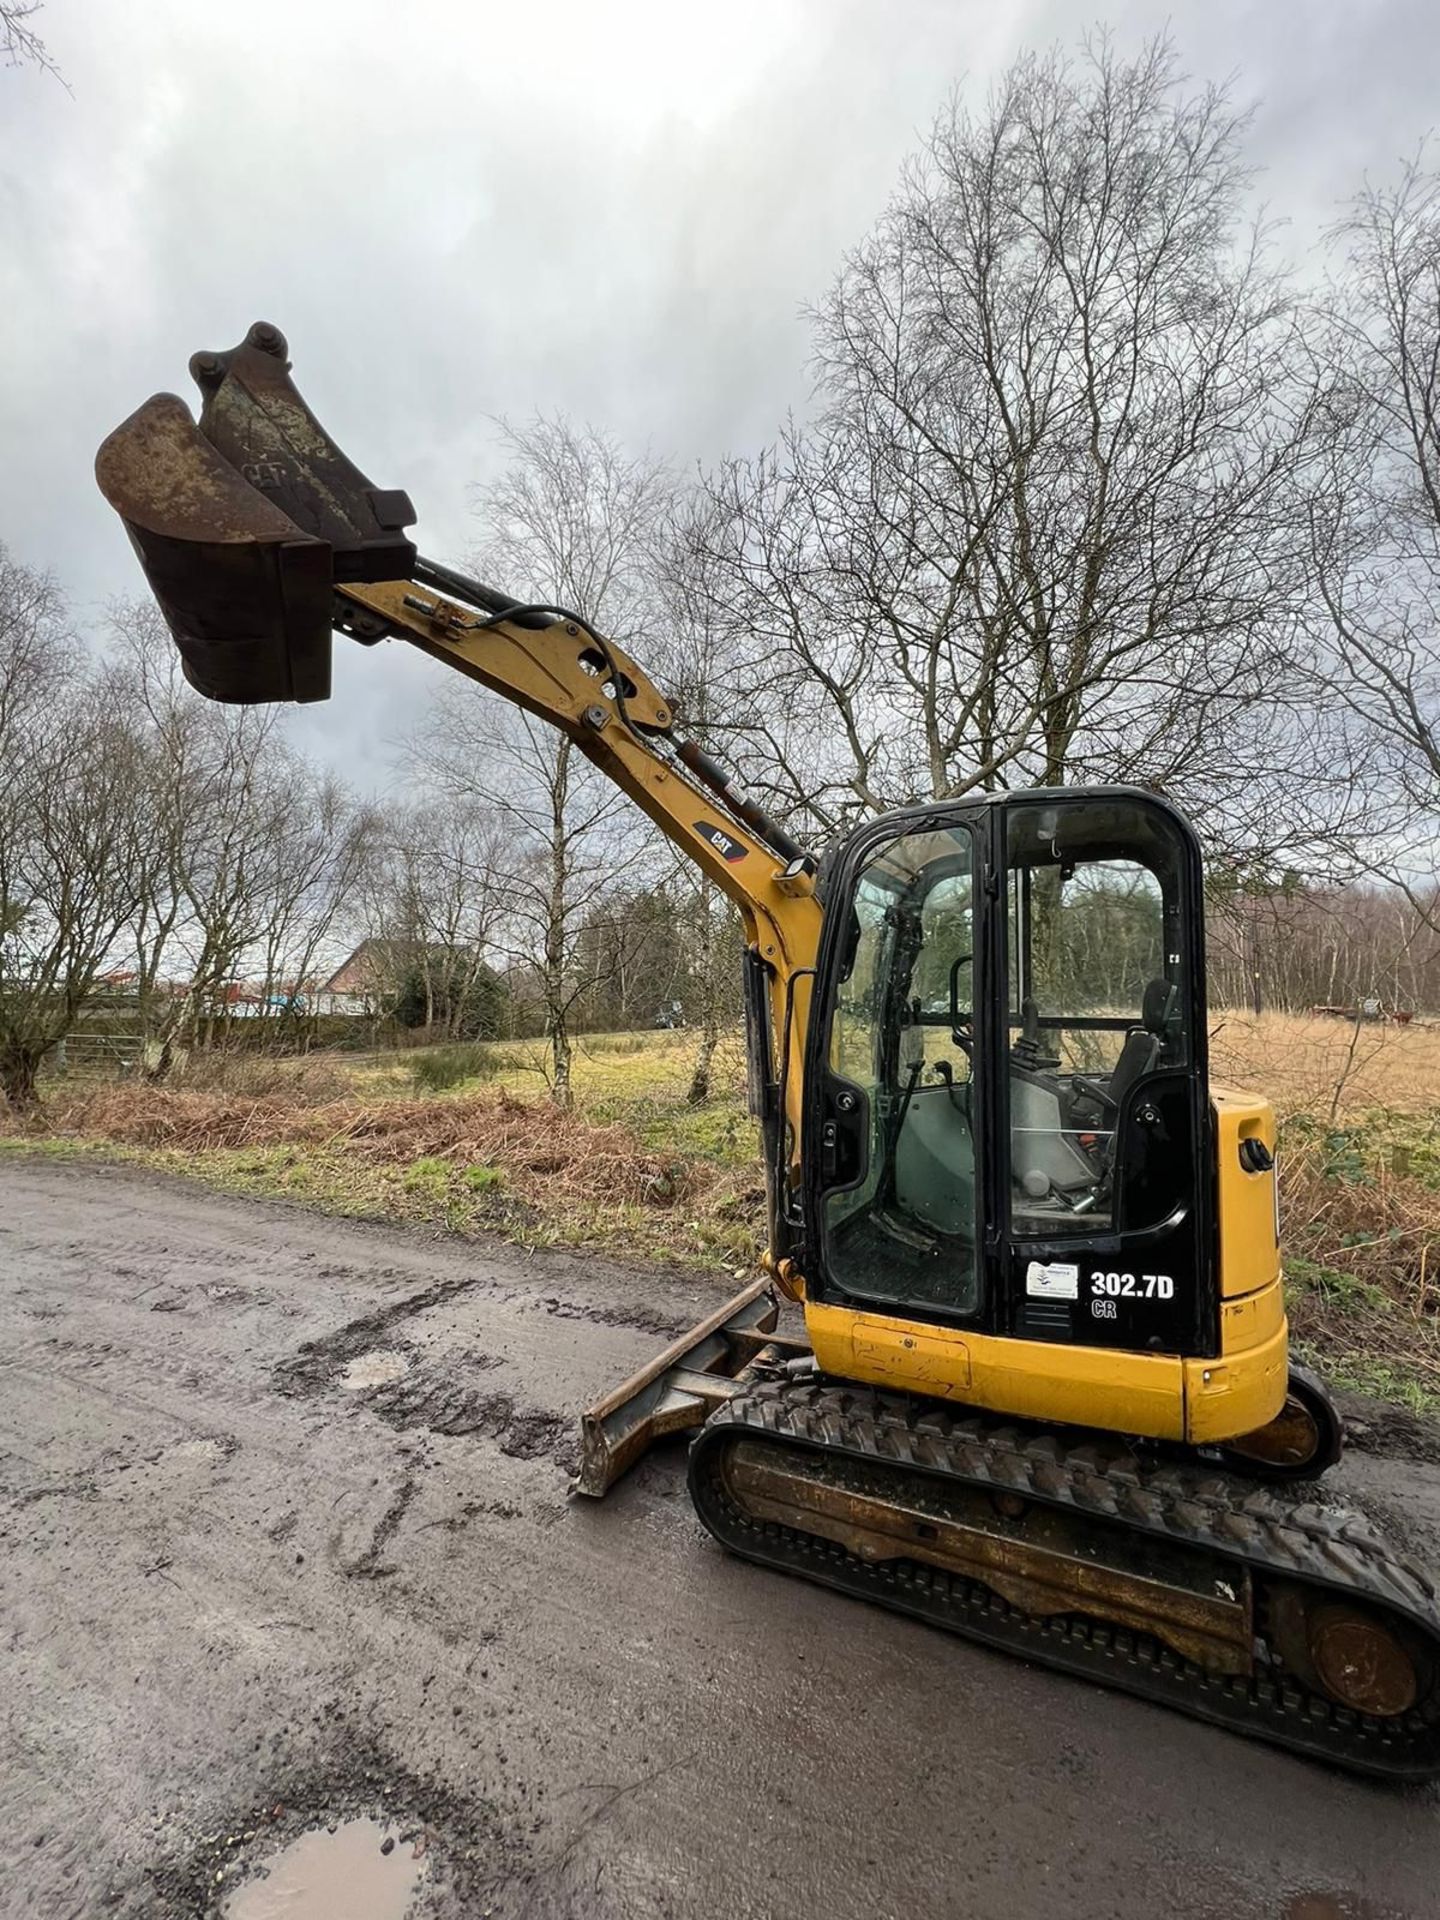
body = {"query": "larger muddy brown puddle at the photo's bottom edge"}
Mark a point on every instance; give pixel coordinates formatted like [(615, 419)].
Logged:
[(333, 1877)]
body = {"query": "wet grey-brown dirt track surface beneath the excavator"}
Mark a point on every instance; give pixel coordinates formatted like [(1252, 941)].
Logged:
[(245, 1591)]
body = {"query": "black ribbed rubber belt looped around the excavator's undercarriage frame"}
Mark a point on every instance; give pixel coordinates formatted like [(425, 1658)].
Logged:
[(1274, 1533)]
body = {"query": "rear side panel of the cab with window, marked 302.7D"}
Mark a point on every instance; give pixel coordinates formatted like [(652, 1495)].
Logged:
[(1107, 1195)]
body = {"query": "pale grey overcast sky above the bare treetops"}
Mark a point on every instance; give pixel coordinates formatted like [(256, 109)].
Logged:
[(458, 210)]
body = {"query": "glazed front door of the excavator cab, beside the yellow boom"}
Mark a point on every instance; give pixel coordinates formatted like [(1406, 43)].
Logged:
[(898, 1090)]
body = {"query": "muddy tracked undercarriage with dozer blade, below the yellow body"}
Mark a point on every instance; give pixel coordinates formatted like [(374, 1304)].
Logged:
[(1268, 1610)]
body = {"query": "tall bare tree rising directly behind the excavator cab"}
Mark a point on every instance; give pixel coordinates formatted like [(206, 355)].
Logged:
[(1042, 525)]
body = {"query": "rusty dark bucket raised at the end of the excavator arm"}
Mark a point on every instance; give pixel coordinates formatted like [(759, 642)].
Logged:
[(247, 523)]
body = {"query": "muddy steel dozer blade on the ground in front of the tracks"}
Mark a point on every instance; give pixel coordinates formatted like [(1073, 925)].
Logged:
[(683, 1385)]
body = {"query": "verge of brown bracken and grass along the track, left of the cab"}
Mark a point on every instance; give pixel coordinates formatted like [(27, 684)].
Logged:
[(619, 1180)]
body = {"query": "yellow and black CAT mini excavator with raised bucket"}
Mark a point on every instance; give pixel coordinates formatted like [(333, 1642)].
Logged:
[(1044, 1397)]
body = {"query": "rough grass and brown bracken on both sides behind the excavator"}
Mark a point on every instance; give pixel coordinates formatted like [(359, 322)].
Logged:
[(640, 1174)]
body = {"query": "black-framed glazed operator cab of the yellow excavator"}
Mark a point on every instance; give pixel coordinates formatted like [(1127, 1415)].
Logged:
[(1009, 1067)]
